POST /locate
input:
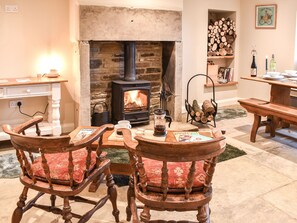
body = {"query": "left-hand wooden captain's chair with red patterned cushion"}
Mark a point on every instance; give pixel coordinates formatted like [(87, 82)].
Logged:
[(60, 166)]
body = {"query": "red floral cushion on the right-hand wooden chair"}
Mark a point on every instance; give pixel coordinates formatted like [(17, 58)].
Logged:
[(177, 173)]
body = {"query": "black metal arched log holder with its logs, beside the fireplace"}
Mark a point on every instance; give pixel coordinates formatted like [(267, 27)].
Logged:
[(209, 108)]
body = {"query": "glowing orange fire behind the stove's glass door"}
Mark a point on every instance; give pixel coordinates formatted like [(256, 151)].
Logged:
[(135, 100)]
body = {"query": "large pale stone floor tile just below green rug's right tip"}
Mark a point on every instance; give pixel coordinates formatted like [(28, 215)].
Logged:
[(241, 179)]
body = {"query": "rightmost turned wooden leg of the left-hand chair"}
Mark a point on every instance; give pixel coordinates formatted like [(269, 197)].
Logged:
[(112, 192)]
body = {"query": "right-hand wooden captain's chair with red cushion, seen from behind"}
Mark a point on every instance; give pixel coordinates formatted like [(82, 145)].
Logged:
[(171, 176)]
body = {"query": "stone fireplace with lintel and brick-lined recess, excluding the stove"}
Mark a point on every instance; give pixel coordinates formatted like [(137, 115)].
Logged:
[(157, 34)]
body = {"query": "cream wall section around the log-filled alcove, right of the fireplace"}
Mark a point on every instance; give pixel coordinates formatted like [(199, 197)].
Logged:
[(195, 23)]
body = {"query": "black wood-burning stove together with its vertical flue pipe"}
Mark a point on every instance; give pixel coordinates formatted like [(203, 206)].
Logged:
[(131, 97)]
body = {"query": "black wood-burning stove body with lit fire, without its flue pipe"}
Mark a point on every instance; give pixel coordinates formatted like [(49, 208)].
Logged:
[(131, 101)]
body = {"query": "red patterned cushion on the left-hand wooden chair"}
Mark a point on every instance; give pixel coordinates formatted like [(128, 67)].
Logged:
[(58, 164)]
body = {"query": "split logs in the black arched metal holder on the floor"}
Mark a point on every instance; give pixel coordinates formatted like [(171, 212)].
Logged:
[(204, 114)]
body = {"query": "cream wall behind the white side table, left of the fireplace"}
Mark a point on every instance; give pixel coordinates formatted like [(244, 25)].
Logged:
[(39, 28)]
